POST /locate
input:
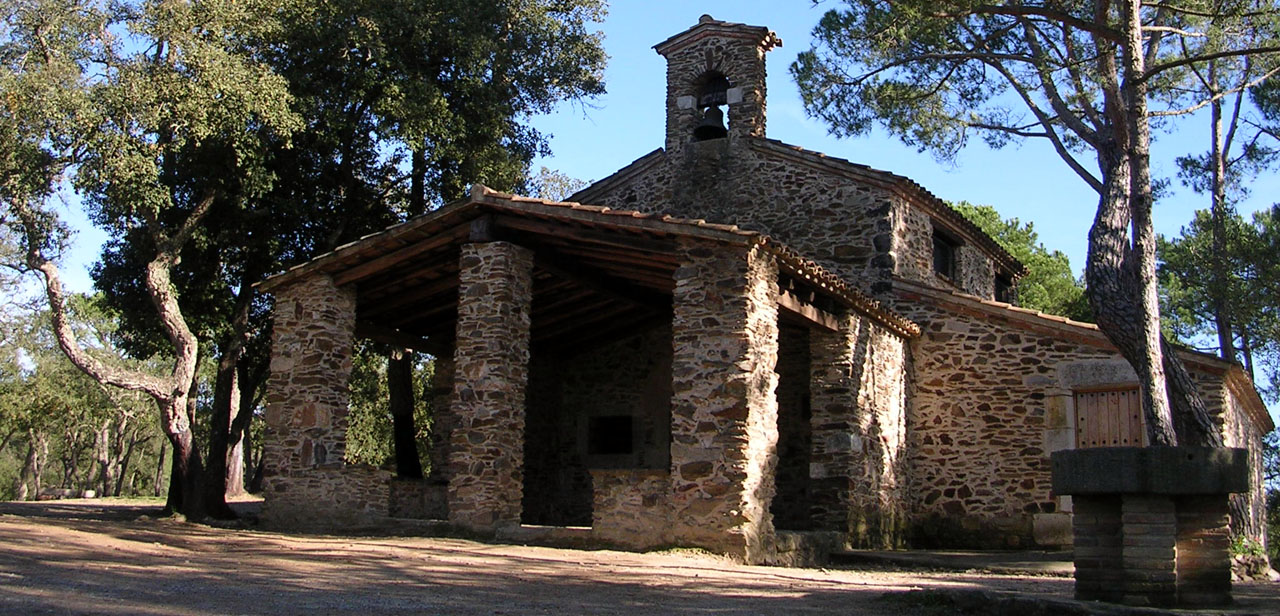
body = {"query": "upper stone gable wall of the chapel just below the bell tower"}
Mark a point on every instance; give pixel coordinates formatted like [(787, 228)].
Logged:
[(860, 231)]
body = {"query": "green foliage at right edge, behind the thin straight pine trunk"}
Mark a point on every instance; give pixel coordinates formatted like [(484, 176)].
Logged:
[(1251, 261)]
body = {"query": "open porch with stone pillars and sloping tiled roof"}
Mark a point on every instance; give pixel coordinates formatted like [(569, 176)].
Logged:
[(602, 373)]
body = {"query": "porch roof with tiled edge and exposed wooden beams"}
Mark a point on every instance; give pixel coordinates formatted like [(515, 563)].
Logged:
[(598, 273)]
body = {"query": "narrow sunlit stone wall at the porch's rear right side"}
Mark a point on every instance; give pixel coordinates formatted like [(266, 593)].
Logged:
[(860, 464)]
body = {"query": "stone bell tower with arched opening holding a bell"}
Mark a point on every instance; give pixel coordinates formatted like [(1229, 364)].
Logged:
[(716, 75)]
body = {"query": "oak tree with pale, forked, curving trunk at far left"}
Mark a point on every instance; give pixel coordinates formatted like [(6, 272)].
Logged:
[(108, 102)]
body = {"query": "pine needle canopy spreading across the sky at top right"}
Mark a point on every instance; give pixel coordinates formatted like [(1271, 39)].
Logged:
[(938, 74)]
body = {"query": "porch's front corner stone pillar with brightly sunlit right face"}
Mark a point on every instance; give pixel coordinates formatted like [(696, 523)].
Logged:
[(724, 419)]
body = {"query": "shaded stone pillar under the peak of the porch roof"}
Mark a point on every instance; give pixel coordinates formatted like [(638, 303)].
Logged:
[(491, 376)]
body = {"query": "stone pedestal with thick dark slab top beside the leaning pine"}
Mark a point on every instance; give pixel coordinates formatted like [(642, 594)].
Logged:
[(1168, 510)]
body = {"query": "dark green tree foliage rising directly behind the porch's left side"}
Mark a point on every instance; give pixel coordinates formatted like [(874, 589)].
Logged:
[(404, 103)]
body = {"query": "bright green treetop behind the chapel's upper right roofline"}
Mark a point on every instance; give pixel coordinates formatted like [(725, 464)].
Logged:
[(1049, 285)]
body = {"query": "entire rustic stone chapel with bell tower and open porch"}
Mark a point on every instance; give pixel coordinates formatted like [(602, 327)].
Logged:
[(732, 344)]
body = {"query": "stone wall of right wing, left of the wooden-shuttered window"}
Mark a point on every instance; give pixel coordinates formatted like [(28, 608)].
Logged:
[(979, 427)]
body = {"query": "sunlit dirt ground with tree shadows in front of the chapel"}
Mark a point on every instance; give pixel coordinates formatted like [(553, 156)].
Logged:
[(103, 559)]
